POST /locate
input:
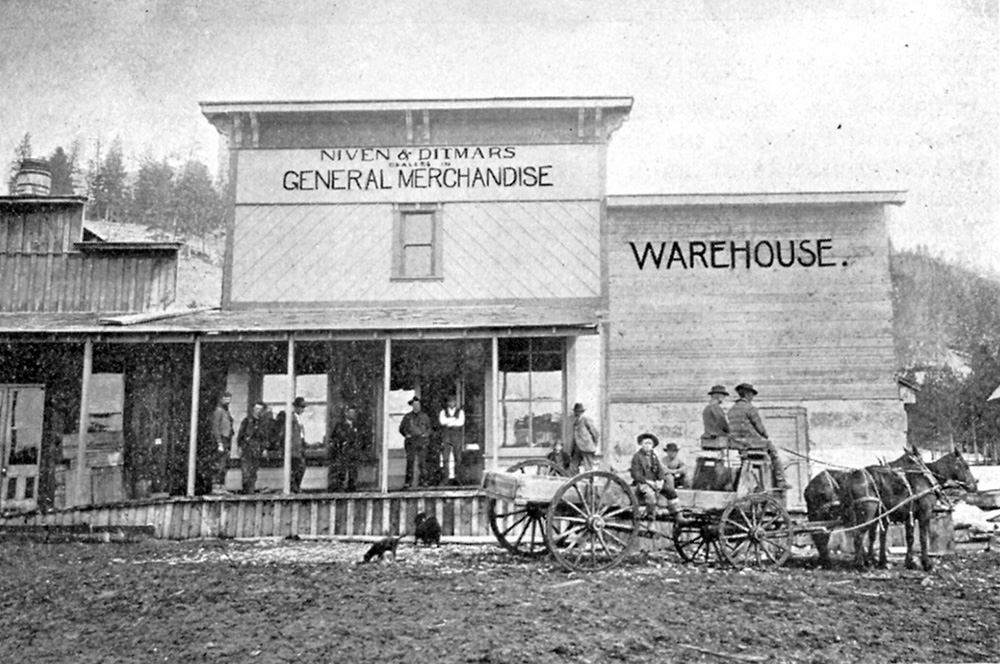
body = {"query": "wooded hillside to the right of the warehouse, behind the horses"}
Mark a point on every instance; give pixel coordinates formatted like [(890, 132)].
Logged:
[(947, 335)]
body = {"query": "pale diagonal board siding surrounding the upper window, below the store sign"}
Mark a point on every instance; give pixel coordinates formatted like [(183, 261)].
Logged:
[(342, 253)]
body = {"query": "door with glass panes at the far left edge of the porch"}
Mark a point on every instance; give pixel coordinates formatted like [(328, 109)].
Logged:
[(21, 413)]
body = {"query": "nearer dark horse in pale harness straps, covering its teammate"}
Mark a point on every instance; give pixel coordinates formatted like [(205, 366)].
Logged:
[(904, 491)]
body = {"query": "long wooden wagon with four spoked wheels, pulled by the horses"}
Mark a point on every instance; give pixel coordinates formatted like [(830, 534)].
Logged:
[(591, 521)]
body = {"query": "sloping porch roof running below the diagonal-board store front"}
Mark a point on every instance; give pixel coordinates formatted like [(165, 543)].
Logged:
[(345, 322)]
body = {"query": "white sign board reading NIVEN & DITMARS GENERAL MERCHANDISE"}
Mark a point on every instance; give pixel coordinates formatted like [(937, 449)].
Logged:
[(419, 174)]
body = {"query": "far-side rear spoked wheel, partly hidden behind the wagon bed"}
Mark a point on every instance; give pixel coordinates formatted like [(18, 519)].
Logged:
[(520, 528)]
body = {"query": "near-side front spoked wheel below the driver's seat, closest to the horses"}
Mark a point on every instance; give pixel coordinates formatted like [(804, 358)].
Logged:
[(755, 531)]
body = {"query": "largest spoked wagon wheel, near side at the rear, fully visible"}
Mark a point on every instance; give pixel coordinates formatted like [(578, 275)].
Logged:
[(592, 522)]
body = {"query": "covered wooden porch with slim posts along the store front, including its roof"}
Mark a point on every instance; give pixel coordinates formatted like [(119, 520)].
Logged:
[(122, 412)]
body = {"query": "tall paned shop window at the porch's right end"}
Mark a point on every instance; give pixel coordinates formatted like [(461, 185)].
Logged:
[(532, 388)]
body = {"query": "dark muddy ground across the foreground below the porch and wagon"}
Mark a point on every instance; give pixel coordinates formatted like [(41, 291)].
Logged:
[(309, 601)]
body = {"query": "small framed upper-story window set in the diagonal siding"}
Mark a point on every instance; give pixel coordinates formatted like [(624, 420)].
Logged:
[(417, 242)]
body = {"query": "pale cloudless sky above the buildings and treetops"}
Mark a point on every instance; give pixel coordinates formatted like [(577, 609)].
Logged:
[(729, 96)]
